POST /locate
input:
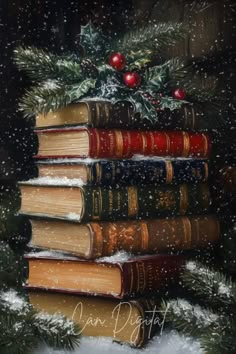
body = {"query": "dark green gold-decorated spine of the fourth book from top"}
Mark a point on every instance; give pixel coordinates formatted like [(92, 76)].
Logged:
[(143, 201)]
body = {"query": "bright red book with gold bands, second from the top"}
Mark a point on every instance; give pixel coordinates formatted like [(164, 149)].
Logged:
[(118, 144)]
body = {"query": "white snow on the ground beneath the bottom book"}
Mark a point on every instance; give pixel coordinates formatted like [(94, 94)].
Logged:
[(168, 343)]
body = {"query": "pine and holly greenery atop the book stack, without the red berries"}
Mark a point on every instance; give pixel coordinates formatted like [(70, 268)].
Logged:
[(61, 80)]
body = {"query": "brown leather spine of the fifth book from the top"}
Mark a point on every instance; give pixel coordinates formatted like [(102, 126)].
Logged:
[(153, 236)]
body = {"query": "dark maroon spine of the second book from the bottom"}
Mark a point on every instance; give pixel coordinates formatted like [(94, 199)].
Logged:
[(149, 276)]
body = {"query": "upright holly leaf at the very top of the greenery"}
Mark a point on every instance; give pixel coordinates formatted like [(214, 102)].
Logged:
[(92, 41)]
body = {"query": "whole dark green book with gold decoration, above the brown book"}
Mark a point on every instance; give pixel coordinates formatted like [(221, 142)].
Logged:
[(85, 203)]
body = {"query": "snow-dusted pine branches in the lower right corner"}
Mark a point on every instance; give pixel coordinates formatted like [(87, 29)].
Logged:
[(213, 322)]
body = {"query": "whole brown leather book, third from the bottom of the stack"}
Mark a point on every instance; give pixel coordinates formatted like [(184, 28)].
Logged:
[(100, 239)]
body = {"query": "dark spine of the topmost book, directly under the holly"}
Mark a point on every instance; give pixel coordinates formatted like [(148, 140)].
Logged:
[(122, 115)]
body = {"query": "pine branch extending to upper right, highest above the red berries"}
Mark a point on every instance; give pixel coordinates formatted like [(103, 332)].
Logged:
[(149, 37)]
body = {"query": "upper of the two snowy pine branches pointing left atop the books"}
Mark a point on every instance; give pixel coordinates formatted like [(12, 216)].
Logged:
[(40, 65)]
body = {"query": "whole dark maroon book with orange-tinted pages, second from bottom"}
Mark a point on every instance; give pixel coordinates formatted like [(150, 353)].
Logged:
[(118, 276)]
